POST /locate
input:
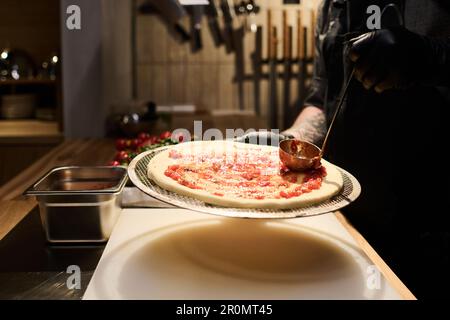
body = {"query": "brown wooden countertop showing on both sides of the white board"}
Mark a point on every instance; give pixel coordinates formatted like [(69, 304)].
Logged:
[(14, 207)]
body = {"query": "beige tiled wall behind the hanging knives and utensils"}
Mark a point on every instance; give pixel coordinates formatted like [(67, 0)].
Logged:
[(168, 73)]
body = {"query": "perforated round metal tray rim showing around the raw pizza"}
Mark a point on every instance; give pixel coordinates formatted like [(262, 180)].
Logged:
[(137, 171)]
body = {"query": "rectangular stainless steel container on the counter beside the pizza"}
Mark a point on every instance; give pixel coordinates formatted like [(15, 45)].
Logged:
[(79, 204)]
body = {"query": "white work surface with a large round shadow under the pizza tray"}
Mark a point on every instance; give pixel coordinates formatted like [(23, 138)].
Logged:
[(179, 254)]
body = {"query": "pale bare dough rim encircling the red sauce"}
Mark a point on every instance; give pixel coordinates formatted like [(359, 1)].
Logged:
[(331, 184)]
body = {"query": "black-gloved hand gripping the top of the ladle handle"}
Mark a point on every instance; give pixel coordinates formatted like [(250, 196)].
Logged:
[(397, 58)]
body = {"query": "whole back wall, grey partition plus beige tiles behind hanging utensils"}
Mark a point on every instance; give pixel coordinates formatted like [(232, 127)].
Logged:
[(98, 67)]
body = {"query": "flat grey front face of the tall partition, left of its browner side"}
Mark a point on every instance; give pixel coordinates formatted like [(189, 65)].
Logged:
[(82, 71)]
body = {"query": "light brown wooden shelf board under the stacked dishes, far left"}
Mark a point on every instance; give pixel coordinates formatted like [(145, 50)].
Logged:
[(28, 128)]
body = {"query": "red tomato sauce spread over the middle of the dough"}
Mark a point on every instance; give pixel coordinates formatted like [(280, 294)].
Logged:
[(246, 174)]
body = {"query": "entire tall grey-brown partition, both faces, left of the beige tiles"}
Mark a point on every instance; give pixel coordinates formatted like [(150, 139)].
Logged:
[(97, 65)]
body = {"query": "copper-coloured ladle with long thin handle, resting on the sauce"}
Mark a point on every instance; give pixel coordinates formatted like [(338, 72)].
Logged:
[(299, 155)]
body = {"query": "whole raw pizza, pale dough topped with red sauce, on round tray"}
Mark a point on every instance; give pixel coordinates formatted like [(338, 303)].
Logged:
[(232, 174)]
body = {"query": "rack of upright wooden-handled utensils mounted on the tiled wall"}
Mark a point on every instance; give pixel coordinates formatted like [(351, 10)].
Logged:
[(263, 68)]
